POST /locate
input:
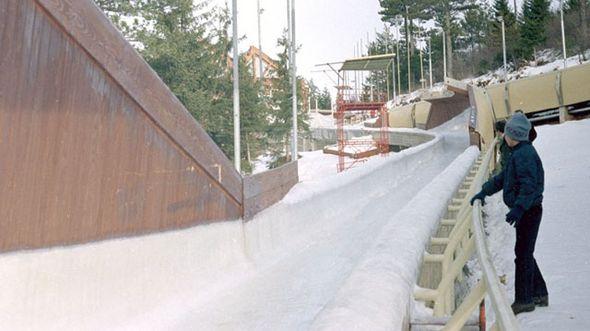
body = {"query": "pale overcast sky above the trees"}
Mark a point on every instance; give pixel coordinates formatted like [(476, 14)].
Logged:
[(327, 30)]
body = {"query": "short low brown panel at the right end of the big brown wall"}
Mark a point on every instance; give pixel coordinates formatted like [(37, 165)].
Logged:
[(265, 189)]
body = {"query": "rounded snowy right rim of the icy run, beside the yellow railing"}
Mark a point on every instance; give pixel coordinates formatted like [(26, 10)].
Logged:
[(377, 294)]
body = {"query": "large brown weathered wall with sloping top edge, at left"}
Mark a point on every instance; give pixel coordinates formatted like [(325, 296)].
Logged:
[(92, 144)]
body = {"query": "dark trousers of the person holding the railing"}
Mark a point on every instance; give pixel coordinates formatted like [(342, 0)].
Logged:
[(529, 282)]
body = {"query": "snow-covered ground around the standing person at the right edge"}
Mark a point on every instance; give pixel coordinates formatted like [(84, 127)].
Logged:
[(562, 249)]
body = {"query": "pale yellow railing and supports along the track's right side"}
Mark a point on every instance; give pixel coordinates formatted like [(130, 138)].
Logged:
[(467, 237)]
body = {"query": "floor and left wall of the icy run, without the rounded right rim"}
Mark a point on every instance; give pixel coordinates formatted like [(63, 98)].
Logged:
[(185, 279)]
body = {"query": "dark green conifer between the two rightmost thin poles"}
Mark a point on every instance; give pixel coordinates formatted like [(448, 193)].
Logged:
[(535, 15)]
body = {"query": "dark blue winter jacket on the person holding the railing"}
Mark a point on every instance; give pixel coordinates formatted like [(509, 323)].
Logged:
[(523, 178)]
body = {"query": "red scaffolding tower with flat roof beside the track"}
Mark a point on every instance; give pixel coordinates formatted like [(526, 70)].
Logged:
[(357, 100)]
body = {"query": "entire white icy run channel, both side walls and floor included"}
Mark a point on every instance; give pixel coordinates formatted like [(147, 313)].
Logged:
[(340, 252)]
